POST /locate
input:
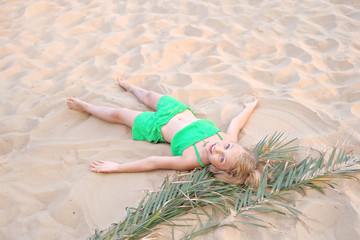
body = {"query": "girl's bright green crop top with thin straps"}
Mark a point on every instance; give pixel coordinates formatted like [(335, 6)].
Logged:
[(191, 134)]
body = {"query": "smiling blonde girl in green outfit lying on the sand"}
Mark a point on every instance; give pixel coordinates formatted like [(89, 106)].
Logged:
[(194, 142)]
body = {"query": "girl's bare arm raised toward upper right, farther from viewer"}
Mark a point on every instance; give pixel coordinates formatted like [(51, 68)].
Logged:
[(238, 122)]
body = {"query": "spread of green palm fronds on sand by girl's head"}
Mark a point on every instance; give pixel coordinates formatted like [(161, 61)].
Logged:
[(197, 192)]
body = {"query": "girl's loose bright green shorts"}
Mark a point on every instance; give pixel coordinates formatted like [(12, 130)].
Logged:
[(147, 125)]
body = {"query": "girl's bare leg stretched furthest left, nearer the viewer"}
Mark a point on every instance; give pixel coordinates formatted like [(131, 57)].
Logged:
[(112, 115)]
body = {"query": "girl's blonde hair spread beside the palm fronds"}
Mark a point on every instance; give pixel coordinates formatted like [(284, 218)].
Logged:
[(245, 170)]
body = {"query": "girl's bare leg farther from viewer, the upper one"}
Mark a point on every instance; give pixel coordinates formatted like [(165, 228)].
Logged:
[(149, 98)]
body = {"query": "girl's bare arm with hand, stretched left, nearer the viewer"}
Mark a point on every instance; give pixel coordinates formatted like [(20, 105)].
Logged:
[(143, 165)]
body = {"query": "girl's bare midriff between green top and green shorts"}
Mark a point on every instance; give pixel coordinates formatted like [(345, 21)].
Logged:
[(178, 122)]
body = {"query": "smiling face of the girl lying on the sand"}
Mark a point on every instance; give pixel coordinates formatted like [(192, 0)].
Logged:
[(223, 154)]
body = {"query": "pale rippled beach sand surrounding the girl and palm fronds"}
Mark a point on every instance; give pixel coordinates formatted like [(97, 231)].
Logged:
[(300, 57)]
